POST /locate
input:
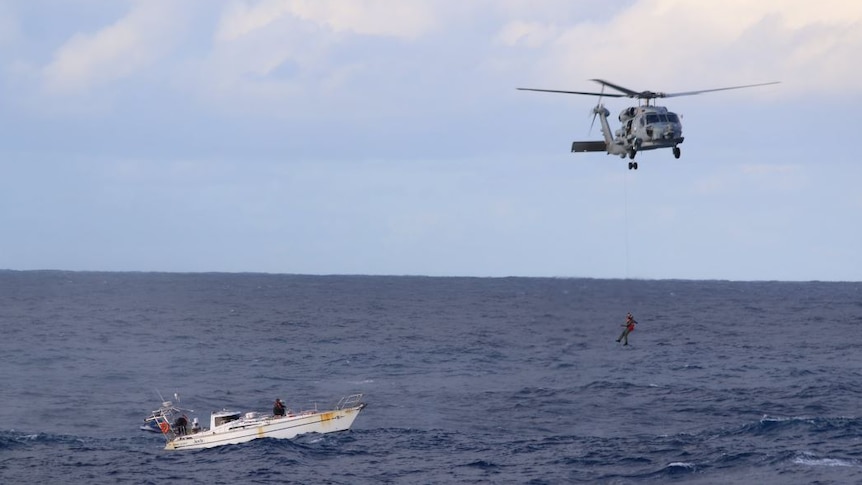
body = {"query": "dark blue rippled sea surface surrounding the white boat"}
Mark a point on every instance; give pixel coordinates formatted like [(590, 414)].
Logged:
[(504, 380)]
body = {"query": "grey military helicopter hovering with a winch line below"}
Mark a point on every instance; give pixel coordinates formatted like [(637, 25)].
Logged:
[(644, 127)]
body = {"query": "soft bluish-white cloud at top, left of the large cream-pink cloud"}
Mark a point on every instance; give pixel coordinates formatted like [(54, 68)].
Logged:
[(309, 58)]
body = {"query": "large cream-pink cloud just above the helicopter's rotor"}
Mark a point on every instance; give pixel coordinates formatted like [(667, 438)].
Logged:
[(677, 45)]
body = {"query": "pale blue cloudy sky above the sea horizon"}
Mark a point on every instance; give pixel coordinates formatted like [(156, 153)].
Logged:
[(387, 137)]
